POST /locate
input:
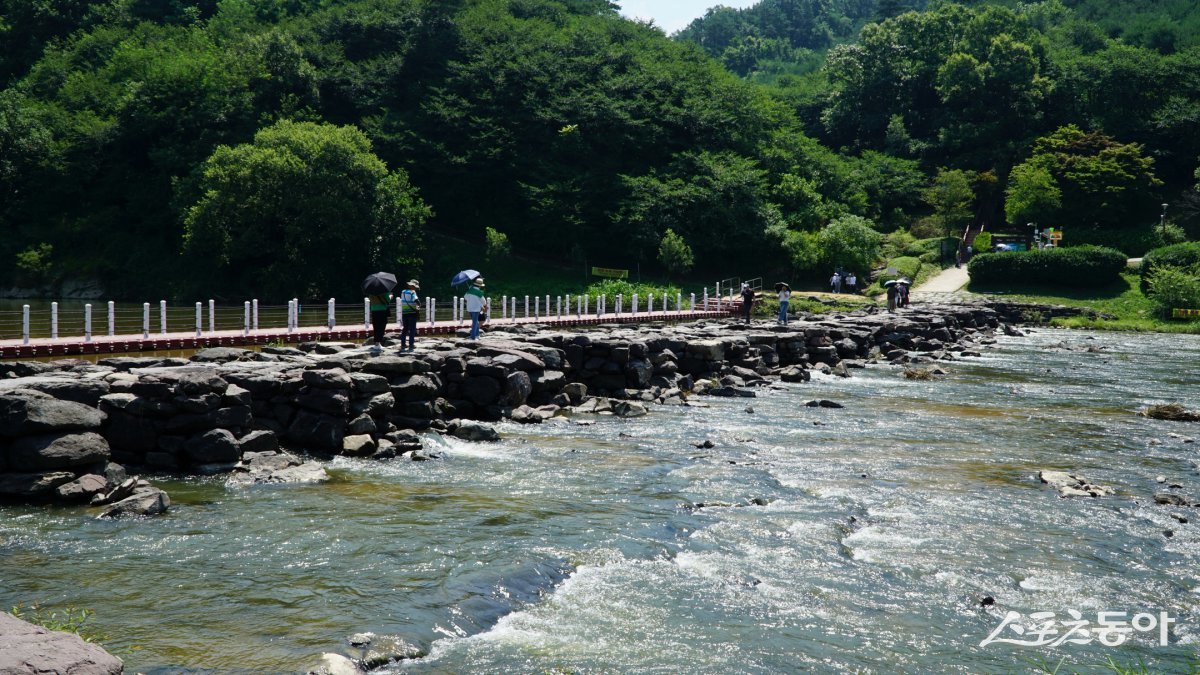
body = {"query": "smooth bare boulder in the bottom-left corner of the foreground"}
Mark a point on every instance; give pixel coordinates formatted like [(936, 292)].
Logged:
[(27, 649)]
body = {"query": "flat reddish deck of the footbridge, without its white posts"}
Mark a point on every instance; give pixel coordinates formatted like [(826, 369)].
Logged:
[(194, 341)]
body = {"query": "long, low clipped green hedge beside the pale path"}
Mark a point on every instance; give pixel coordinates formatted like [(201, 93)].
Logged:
[(1077, 266)]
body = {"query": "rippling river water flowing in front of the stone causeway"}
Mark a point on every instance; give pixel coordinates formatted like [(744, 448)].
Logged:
[(854, 540)]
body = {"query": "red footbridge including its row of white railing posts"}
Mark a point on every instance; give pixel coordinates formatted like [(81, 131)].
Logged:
[(77, 328)]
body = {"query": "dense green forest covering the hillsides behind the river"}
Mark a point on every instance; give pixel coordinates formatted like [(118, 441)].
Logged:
[(284, 147)]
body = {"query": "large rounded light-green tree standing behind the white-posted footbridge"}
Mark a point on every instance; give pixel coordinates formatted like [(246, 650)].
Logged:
[(307, 211)]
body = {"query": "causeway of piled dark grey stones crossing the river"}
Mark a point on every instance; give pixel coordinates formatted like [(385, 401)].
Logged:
[(71, 431)]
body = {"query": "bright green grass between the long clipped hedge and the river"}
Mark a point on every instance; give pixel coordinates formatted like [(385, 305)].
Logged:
[(1123, 301)]
